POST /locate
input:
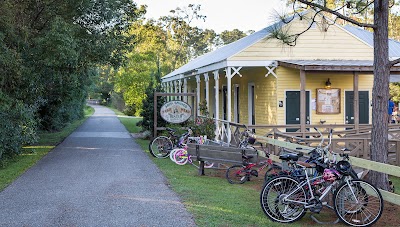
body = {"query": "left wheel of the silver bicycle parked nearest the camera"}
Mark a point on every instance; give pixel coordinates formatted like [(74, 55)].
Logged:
[(272, 199)]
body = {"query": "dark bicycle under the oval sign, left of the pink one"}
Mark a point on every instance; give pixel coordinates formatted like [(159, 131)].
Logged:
[(161, 146)]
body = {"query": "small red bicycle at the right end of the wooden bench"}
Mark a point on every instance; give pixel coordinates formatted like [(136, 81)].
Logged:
[(238, 174)]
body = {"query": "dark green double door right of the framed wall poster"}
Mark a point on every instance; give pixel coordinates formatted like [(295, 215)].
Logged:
[(363, 107)]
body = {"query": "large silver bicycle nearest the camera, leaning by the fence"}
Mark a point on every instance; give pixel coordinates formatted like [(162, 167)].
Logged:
[(356, 202)]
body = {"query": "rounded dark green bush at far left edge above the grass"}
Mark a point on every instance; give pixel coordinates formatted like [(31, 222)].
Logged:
[(17, 125)]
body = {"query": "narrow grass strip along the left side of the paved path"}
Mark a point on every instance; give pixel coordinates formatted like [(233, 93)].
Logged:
[(13, 168)]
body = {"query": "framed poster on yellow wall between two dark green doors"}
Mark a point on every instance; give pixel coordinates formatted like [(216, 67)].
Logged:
[(328, 101)]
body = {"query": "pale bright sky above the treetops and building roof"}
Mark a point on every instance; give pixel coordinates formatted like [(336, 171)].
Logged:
[(221, 14)]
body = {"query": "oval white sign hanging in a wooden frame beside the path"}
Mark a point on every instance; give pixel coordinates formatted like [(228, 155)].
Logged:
[(176, 111)]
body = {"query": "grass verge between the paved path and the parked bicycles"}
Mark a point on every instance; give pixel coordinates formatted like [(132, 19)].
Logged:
[(211, 199)]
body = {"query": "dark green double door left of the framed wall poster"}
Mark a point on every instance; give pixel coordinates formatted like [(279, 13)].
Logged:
[(293, 108)]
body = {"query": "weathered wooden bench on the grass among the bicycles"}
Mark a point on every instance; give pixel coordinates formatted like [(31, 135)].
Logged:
[(219, 154)]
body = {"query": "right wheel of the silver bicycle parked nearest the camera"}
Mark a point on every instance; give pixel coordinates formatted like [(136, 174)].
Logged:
[(358, 203)]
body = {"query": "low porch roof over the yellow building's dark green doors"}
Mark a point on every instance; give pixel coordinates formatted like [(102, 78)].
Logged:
[(334, 65)]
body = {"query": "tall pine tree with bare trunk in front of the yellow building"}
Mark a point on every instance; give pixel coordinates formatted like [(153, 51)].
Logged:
[(382, 63)]
